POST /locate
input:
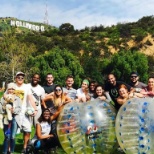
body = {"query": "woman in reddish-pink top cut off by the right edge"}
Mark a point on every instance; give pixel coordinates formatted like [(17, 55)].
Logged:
[(149, 90)]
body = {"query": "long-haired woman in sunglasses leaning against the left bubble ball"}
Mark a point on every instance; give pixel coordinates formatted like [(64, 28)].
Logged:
[(59, 100)]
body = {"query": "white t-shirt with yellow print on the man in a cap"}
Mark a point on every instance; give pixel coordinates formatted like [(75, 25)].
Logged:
[(23, 91)]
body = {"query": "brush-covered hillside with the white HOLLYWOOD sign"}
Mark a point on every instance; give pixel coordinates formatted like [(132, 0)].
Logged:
[(94, 47)]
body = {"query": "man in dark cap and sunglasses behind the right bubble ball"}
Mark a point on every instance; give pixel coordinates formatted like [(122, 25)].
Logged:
[(135, 83)]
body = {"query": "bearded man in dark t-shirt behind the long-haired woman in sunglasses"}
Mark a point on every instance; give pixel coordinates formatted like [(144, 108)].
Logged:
[(49, 88)]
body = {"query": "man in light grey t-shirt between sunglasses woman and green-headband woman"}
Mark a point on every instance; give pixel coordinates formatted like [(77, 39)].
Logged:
[(69, 90)]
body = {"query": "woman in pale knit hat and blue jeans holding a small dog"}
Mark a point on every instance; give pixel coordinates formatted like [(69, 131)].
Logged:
[(11, 126)]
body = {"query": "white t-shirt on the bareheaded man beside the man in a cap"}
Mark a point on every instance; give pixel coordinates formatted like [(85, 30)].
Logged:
[(38, 93)]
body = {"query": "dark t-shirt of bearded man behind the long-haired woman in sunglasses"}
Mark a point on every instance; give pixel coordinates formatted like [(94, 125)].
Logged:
[(48, 89)]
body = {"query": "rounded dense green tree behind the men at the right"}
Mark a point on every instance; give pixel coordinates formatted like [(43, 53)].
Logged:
[(124, 62)]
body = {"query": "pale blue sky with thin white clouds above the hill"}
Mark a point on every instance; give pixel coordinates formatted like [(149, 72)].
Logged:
[(79, 13)]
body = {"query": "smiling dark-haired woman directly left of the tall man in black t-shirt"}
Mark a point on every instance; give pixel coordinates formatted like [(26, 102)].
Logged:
[(99, 93)]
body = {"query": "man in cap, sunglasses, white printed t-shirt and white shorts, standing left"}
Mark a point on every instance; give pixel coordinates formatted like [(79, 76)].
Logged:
[(23, 91)]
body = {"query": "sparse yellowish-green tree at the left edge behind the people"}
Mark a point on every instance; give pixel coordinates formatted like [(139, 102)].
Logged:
[(14, 56)]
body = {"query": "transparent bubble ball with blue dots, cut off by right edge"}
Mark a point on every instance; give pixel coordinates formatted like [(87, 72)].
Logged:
[(135, 126)]
